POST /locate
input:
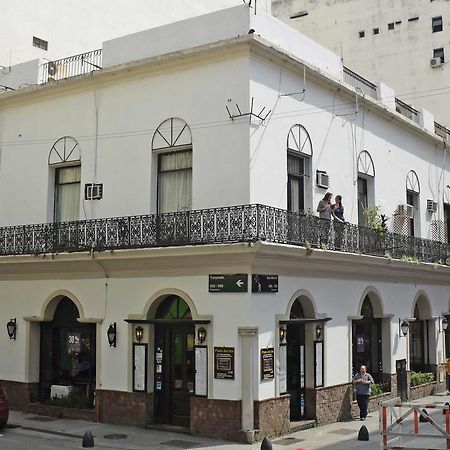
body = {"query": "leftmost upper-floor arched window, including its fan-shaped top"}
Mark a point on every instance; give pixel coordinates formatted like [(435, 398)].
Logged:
[(64, 160)]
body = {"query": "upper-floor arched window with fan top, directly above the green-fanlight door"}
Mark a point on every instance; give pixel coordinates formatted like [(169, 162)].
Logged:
[(172, 143)]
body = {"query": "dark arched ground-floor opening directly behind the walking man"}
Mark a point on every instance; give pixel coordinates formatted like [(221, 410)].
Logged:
[(366, 341)]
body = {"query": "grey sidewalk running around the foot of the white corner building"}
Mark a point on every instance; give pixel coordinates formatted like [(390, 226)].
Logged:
[(336, 436)]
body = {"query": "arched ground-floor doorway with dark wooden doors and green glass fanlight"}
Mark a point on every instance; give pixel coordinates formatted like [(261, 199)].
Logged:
[(174, 361)]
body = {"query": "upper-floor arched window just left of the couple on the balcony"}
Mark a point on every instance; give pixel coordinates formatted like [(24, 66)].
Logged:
[(299, 153)]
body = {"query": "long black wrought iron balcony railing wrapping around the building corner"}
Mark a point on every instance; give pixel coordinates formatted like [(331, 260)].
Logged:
[(247, 223)]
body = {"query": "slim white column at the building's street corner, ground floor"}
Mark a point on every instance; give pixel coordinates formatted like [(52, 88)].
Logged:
[(247, 335)]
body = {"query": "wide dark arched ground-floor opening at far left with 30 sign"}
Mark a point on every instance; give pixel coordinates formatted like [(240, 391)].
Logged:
[(67, 357)]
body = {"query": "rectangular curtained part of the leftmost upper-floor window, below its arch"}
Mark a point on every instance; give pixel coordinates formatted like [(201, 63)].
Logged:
[(67, 194)]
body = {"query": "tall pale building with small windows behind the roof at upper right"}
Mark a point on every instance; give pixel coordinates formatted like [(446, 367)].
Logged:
[(403, 44)]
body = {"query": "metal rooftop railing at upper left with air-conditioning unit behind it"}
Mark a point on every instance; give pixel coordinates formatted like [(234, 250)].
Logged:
[(72, 66)]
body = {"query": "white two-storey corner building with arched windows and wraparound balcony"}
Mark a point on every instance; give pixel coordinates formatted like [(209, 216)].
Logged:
[(160, 247)]
